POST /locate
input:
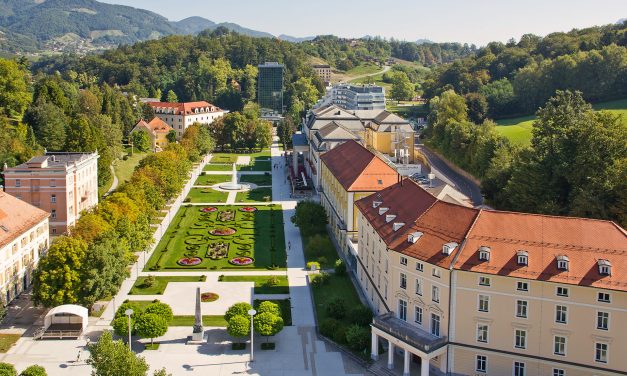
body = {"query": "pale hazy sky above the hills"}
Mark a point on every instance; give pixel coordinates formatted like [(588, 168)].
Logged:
[(473, 21)]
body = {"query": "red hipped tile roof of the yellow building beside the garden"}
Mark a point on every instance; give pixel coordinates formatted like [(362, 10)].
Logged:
[(357, 168)]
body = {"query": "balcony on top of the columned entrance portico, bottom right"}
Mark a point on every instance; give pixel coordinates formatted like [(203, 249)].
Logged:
[(409, 334)]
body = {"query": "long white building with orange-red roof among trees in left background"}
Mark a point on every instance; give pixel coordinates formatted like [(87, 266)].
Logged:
[(181, 115)]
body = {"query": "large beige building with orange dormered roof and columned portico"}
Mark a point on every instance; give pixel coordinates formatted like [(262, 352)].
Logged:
[(465, 291)]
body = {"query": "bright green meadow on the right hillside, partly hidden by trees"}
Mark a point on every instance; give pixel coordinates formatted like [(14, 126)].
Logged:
[(518, 130)]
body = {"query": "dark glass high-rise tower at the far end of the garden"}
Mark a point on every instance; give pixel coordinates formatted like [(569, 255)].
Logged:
[(270, 87)]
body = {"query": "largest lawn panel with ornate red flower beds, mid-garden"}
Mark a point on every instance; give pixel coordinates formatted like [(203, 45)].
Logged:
[(258, 235)]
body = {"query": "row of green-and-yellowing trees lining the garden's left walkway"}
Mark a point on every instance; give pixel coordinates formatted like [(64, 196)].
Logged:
[(91, 262)]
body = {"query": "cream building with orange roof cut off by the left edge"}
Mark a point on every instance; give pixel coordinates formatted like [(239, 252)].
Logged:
[(23, 239)]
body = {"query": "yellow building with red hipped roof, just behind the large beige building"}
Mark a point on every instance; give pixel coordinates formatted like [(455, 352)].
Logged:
[(349, 173)]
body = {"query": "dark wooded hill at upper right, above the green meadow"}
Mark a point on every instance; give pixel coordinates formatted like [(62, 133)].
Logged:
[(502, 80)]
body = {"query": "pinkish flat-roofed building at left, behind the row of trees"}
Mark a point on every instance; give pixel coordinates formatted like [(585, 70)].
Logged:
[(62, 184)]
